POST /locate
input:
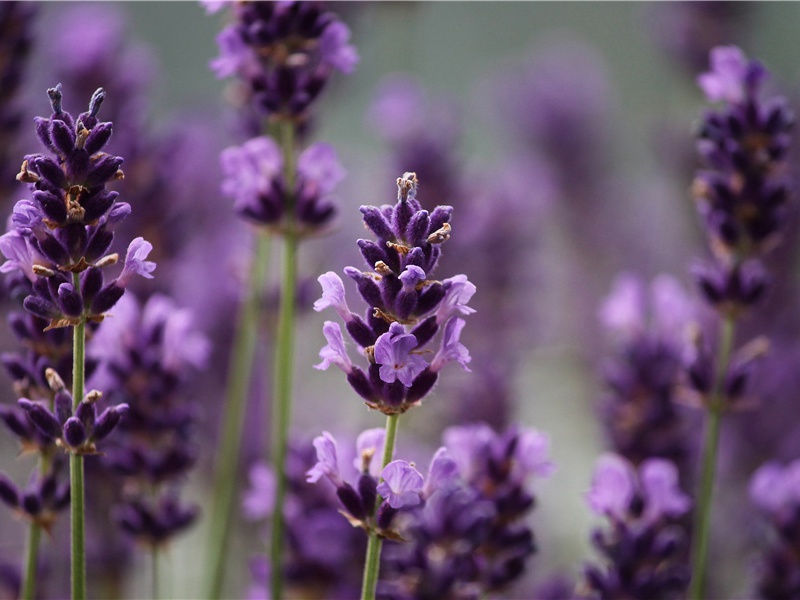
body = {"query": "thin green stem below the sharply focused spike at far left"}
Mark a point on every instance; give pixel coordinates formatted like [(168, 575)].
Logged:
[(76, 463)]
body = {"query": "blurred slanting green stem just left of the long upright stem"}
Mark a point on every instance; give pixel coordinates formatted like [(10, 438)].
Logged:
[(239, 373)]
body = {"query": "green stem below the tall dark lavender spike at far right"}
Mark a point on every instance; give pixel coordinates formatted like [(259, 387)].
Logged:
[(702, 514)]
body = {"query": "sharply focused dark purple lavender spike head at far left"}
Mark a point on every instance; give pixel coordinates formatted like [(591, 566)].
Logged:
[(67, 226)]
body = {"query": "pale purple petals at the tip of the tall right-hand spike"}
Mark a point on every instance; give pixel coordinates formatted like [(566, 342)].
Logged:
[(732, 77)]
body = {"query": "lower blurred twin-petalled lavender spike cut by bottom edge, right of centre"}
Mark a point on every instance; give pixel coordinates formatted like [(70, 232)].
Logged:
[(645, 545)]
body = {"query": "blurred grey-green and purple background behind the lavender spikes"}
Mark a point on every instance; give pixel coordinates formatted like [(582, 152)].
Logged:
[(565, 130)]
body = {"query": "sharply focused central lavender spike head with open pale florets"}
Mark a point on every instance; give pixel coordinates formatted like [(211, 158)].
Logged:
[(407, 307)]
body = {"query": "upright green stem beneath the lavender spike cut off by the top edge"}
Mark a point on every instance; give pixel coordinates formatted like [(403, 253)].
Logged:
[(284, 364)]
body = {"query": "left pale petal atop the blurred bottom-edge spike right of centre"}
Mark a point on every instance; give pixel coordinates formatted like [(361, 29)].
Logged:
[(613, 487)]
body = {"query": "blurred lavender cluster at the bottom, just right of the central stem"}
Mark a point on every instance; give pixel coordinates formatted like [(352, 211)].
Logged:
[(468, 536)]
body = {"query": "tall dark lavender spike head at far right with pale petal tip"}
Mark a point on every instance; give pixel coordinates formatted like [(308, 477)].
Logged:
[(742, 196)]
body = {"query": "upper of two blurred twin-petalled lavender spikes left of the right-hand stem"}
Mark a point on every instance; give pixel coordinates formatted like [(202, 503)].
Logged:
[(640, 411)]
